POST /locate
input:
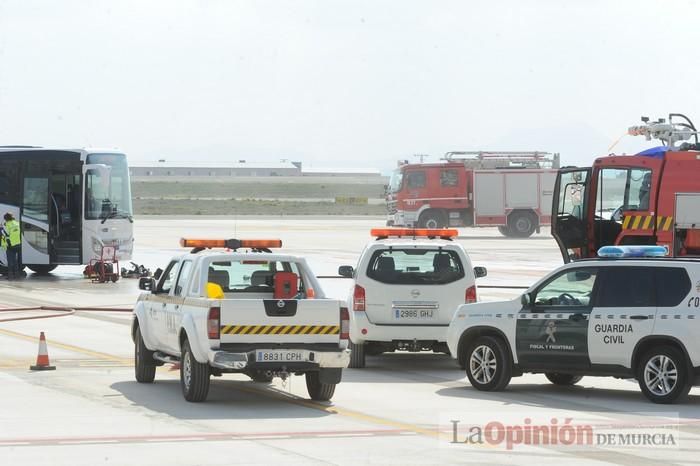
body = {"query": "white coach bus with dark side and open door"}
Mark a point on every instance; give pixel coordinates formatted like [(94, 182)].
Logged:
[(70, 203)]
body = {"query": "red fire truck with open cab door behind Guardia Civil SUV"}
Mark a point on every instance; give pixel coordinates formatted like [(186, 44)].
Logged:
[(650, 198)]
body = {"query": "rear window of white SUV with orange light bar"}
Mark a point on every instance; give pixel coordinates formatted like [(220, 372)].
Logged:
[(415, 266)]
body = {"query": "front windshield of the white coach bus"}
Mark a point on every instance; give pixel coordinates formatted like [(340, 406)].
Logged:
[(107, 198)]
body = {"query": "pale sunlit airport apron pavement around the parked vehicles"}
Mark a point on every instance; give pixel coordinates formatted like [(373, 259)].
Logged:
[(398, 410)]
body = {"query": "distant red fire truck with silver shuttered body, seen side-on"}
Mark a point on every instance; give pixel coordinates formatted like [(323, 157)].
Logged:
[(510, 190)]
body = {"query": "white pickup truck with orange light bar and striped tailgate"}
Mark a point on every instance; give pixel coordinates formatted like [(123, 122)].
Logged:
[(254, 312)]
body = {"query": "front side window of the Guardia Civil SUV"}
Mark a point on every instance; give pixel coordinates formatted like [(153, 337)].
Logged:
[(572, 288)]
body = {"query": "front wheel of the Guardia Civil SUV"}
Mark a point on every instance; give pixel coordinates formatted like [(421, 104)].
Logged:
[(488, 364)]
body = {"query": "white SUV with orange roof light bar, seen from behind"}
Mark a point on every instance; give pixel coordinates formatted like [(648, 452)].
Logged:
[(408, 284)]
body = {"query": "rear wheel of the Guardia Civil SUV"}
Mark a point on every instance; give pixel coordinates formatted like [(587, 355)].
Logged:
[(663, 375)]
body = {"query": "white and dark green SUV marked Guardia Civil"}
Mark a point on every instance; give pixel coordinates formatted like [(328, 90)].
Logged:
[(626, 318)]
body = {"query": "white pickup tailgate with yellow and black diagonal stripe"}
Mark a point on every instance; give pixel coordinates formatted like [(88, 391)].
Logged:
[(280, 320)]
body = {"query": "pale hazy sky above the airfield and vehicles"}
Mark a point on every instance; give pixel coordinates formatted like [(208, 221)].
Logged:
[(341, 83)]
